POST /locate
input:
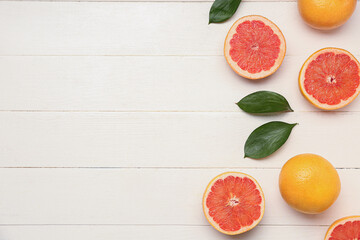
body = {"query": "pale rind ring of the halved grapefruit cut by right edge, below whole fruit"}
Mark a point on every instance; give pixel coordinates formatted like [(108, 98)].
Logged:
[(313, 100)]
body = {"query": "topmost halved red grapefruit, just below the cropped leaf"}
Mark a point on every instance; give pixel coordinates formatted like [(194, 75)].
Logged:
[(254, 47)]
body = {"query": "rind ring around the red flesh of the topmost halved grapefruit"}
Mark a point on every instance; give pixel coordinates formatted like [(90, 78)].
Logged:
[(278, 62)]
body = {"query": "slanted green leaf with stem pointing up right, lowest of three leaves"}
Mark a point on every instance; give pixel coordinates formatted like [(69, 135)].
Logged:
[(267, 138)]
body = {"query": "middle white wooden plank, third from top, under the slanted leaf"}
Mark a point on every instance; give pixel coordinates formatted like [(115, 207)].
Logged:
[(167, 139)]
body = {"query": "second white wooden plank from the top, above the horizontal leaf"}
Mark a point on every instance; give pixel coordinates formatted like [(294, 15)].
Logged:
[(116, 84)]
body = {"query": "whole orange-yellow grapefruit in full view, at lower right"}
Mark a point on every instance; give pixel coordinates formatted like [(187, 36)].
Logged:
[(309, 183)]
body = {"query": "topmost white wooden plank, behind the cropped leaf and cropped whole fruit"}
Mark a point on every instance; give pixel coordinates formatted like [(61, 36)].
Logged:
[(140, 28)]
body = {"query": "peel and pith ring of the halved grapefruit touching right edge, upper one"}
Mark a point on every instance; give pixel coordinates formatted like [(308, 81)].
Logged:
[(313, 101)]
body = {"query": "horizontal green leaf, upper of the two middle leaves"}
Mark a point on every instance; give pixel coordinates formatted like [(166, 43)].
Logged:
[(264, 102)]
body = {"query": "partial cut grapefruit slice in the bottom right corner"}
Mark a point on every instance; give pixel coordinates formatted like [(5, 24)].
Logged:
[(347, 228)]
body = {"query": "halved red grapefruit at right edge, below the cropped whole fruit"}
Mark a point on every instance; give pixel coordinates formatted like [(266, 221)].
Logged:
[(330, 78)]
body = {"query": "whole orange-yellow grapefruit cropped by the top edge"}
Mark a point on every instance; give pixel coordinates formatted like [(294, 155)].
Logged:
[(326, 14)]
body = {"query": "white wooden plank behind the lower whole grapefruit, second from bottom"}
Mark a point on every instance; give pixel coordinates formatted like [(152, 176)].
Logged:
[(143, 196)]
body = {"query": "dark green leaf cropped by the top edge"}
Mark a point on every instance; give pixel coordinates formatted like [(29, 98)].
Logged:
[(222, 10)]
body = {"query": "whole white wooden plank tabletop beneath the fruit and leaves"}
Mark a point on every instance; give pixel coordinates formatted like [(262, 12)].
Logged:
[(114, 116)]
